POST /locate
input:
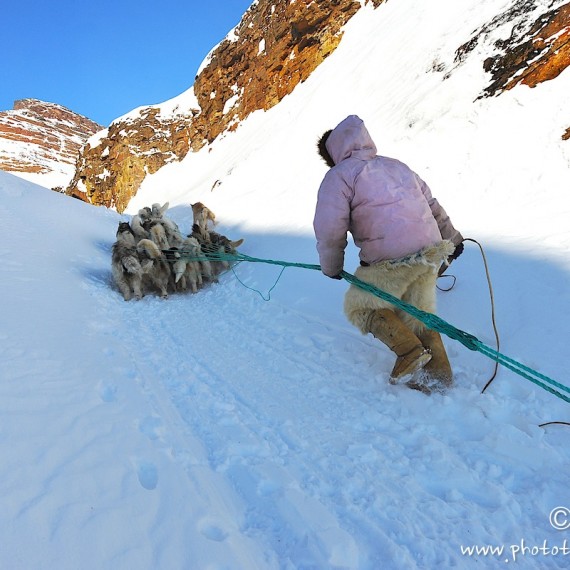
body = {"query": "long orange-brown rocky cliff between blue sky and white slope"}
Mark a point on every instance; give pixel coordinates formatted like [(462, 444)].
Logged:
[(277, 45)]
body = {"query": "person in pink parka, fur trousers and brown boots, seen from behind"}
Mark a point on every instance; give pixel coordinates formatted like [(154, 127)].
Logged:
[(404, 237)]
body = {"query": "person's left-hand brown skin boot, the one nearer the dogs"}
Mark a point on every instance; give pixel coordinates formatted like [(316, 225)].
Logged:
[(387, 327)]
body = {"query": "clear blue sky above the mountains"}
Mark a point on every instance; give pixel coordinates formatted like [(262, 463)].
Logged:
[(104, 58)]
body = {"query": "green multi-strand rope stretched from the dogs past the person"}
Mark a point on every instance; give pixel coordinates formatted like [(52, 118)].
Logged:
[(429, 319)]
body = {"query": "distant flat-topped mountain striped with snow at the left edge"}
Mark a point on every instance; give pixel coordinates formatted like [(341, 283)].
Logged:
[(39, 137)]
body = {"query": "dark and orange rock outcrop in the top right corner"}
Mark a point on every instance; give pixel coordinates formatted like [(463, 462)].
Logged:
[(537, 50)]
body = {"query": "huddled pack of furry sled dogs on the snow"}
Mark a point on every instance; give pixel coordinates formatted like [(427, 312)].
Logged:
[(151, 254)]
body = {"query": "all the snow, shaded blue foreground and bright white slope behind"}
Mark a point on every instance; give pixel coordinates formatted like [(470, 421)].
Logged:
[(223, 431)]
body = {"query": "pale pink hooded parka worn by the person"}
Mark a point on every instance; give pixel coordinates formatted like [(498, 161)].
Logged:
[(388, 209)]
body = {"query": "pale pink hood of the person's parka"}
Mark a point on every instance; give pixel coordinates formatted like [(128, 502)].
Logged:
[(350, 138)]
